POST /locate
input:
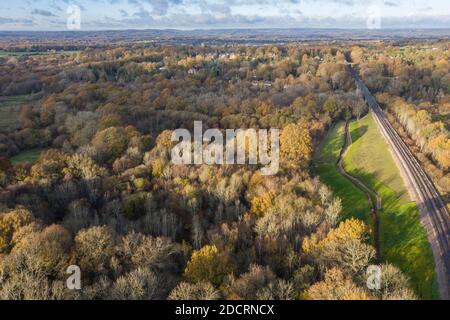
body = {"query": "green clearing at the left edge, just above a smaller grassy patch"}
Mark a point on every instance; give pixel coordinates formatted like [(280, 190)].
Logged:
[(10, 112)]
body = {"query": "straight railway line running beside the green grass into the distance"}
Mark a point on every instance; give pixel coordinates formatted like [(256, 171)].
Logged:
[(434, 215)]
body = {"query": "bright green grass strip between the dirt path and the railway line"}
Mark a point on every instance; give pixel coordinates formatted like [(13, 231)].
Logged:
[(403, 240)]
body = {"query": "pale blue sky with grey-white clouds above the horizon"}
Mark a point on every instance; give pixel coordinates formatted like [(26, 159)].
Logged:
[(60, 15)]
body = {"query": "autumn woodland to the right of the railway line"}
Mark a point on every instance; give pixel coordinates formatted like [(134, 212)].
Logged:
[(412, 83)]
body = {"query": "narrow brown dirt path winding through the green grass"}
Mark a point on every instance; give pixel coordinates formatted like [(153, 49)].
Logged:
[(372, 196)]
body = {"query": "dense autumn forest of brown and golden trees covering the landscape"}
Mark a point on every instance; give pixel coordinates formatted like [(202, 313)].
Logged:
[(104, 195)]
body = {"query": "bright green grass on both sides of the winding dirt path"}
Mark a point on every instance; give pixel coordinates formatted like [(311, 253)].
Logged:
[(403, 240)]
